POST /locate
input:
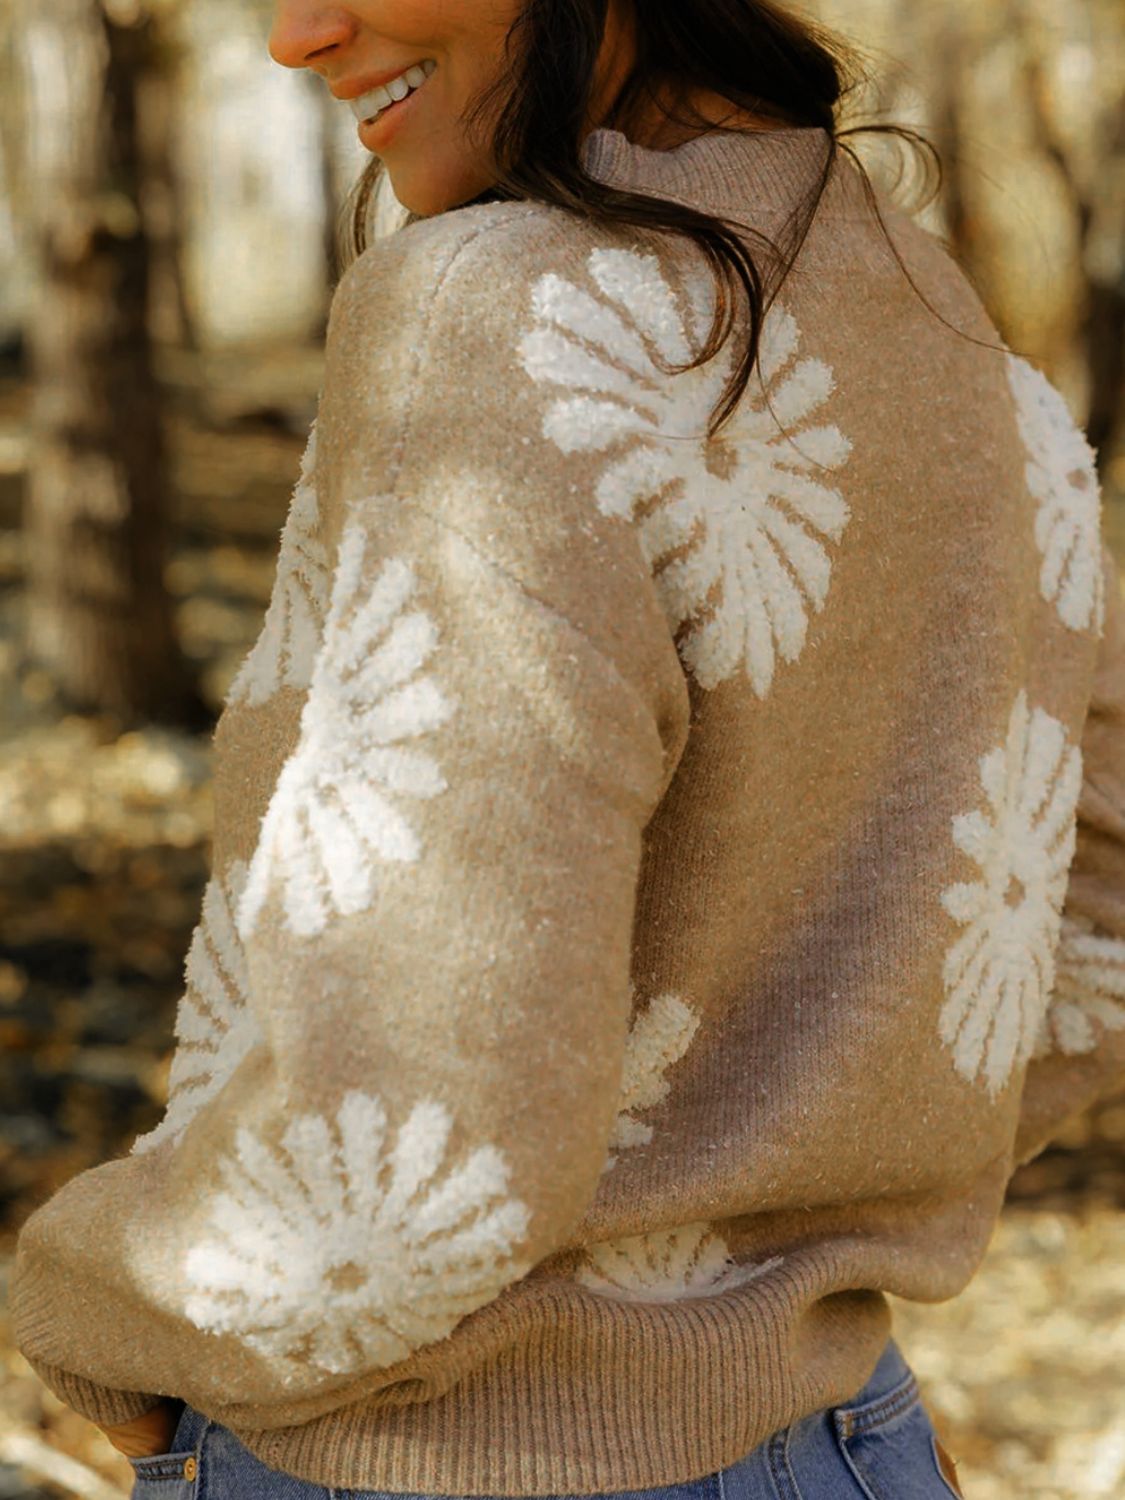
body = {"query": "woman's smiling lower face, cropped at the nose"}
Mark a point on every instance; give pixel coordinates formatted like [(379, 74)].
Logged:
[(458, 44)]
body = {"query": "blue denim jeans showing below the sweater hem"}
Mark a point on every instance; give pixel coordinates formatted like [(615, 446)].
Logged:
[(881, 1445)]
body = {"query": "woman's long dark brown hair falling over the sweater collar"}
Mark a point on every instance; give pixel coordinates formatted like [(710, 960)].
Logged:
[(755, 53)]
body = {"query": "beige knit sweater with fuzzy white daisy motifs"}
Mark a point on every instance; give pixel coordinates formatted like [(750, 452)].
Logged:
[(661, 887)]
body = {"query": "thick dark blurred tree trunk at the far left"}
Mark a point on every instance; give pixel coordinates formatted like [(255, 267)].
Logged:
[(98, 616)]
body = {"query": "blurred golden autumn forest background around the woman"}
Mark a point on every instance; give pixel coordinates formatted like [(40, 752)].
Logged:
[(169, 208)]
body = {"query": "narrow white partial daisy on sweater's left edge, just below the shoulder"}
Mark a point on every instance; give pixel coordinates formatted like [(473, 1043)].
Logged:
[(292, 634)]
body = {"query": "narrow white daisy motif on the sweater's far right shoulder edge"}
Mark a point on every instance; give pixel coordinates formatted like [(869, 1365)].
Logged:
[(1064, 482)]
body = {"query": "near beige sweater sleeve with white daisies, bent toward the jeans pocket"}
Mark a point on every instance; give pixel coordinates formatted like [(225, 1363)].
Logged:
[(436, 907)]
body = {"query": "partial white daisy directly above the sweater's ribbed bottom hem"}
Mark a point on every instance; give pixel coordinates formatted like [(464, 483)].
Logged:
[(691, 1261)]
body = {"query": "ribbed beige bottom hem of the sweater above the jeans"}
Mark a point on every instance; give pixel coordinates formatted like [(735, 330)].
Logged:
[(601, 1396)]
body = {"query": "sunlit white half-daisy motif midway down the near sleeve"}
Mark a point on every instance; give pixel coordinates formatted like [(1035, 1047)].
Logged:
[(337, 808)]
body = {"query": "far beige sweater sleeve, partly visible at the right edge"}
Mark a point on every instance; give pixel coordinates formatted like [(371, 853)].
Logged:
[(1081, 1052)]
